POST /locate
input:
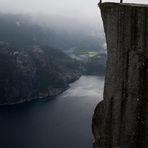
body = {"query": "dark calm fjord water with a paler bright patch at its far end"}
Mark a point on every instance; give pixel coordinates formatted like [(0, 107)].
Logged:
[(61, 122)]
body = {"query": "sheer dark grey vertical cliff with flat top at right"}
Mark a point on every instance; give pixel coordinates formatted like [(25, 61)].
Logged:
[(121, 119)]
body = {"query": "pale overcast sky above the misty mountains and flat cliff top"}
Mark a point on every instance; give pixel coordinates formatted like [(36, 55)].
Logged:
[(86, 8)]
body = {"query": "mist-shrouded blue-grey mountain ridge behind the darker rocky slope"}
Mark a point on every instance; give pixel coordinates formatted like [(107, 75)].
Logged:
[(25, 30)]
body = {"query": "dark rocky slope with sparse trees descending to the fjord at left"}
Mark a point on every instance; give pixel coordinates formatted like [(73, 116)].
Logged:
[(38, 72)]
